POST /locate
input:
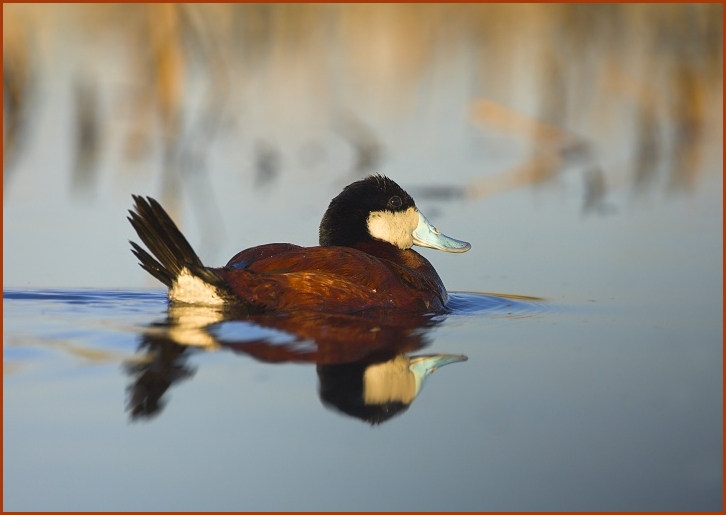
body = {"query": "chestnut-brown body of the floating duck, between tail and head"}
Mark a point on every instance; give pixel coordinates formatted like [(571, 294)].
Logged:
[(286, 277)]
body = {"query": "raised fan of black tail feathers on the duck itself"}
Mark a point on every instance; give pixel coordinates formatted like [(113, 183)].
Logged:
[(166, 242)]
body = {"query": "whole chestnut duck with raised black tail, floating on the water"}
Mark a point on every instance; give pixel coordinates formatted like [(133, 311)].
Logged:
[(365, 261)]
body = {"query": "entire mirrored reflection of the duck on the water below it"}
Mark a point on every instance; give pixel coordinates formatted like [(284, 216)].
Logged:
[(362, 362)]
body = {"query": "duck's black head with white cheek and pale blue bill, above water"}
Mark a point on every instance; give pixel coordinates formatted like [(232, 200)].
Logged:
[(378, 209)]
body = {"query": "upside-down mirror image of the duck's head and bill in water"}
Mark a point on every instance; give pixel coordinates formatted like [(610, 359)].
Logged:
[(375, 392)]
